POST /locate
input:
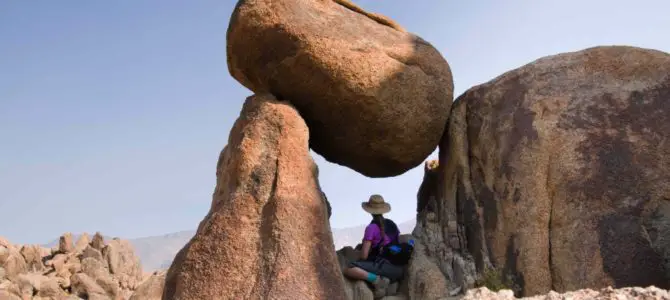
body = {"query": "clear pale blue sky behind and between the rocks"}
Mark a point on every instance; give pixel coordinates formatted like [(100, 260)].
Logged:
[(112, 113)]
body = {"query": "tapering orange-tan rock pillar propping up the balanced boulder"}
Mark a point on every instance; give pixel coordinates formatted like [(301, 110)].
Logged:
[(266, 234)]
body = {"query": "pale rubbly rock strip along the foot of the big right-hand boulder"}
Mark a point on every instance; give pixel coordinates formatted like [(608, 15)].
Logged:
[(630, 293)]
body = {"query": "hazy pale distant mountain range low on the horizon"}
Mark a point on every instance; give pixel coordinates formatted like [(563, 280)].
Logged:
[(157, 252)]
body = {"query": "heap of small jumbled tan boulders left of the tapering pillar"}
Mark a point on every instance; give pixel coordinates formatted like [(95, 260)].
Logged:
[(68, 272)]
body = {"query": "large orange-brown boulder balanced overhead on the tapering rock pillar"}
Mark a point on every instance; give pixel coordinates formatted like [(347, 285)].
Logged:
[(375, 97)]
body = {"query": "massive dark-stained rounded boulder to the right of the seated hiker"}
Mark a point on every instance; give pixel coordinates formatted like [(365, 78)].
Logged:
[(559, 171)]
